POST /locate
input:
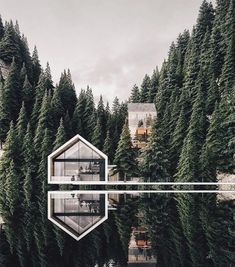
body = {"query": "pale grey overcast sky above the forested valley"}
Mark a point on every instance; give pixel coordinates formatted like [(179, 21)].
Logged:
[(108, 44)]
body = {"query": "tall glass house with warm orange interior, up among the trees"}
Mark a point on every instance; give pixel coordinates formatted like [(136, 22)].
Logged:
[(140, 118)]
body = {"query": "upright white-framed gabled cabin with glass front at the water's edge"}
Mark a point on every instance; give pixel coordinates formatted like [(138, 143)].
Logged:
[(77, 162)]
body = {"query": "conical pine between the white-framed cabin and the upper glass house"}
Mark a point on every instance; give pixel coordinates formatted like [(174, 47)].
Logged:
[(125, 158)]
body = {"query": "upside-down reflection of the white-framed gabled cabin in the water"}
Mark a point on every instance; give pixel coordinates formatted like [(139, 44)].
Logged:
[(77, 213)]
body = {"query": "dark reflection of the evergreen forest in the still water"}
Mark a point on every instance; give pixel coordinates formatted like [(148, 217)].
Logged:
[(184, 230)]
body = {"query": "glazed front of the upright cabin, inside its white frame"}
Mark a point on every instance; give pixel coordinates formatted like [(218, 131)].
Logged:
[(79, 162)]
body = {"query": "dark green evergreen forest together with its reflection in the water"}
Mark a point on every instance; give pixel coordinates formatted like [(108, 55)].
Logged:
[(192, 140)]
